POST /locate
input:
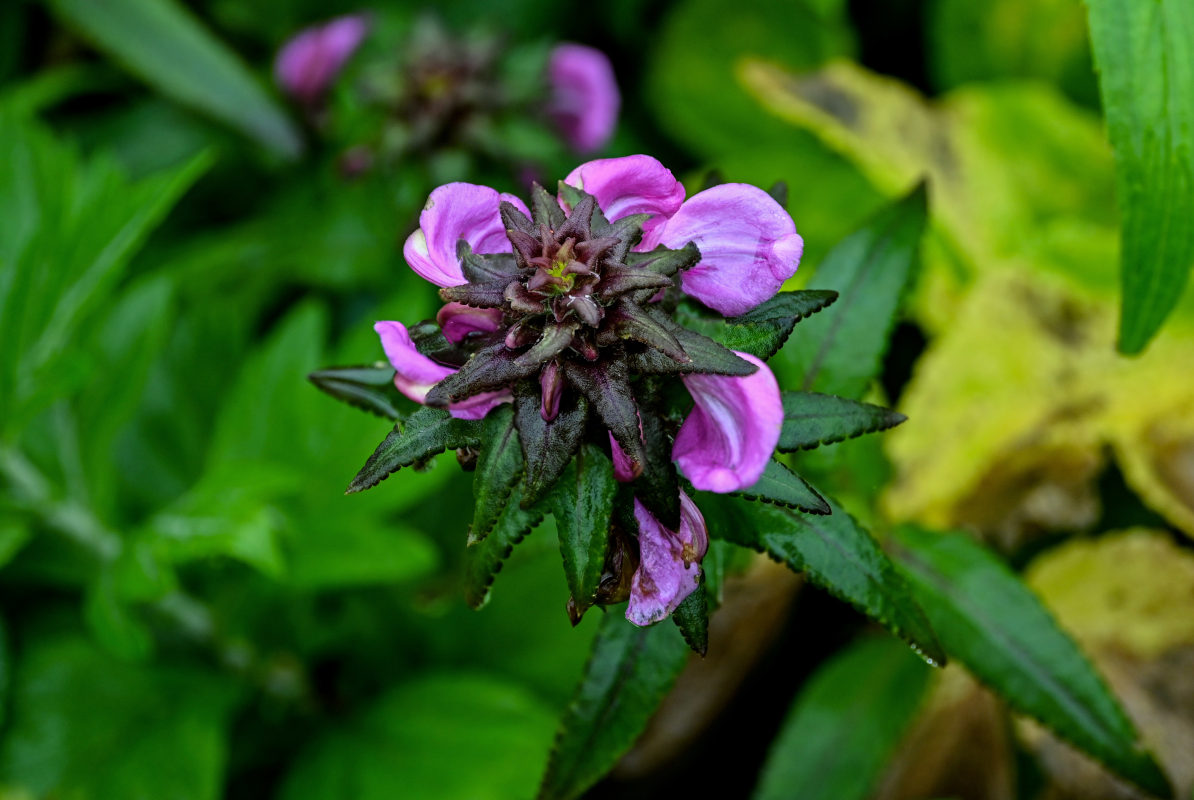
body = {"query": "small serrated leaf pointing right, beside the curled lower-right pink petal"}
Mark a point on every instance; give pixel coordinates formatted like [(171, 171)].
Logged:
[(811, 420)]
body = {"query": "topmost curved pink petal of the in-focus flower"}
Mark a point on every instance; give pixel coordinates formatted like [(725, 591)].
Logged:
[(633, 184)]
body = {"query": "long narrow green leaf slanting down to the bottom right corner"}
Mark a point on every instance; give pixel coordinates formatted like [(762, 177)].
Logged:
[(994, 625)]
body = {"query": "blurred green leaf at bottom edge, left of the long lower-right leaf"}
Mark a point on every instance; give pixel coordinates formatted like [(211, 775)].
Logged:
[(846, 724)]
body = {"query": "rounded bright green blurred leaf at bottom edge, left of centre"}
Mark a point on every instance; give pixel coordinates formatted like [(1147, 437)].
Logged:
[(453, 737)]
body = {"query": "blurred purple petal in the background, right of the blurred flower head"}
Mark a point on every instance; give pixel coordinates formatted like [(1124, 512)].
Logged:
[(584, 96)]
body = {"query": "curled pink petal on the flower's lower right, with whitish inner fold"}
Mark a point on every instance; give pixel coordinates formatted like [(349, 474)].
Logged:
[(729, 438)]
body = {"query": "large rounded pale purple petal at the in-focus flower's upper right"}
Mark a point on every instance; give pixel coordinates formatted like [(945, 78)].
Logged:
[(749, 247)]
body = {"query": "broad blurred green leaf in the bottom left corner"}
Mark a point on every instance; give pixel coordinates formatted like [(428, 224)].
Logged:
[(85, 725)]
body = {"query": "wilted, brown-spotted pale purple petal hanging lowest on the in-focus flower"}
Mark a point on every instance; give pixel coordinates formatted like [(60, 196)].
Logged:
[(669, 563)]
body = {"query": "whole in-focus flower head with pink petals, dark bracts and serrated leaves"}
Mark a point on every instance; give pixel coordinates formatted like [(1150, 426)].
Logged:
[(600, 356)]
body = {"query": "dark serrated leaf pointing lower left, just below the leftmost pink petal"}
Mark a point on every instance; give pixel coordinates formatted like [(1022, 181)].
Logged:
[(427, 433)]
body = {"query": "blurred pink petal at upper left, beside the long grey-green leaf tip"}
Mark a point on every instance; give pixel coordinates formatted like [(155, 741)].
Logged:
[(310, 63)]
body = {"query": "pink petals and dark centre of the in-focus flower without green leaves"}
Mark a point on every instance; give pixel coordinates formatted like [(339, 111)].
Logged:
[(569, 299)]
